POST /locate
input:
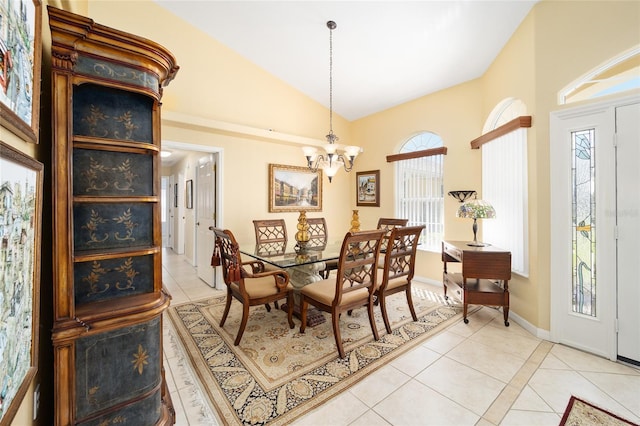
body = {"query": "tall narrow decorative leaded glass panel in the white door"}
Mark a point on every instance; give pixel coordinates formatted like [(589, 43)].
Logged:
[(584, 221)]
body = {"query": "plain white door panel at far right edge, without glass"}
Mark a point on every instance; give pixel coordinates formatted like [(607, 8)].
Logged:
[(628, 217)]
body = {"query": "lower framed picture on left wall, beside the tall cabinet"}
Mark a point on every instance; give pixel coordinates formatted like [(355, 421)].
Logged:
[(20, 213)]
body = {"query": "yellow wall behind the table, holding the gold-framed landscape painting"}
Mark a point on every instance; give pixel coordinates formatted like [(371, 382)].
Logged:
[(216, 85)]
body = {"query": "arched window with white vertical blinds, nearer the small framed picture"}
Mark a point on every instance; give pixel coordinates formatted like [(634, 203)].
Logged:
[(419, 187)]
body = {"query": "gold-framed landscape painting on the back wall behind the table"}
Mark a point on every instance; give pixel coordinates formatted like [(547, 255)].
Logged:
[(293, 189)]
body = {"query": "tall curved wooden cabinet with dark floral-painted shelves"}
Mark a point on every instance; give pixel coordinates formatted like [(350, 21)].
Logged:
[(108, 296)]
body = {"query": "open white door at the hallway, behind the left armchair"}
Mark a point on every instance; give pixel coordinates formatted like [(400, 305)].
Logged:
[(205, 217)]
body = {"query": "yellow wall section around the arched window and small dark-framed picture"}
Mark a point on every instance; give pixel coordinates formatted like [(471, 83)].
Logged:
[(454, 114)]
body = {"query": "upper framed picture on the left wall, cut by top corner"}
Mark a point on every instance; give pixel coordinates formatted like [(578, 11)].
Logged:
[(20, 67)]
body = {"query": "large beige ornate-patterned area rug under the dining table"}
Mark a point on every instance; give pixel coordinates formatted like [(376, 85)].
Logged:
[(277, 374)]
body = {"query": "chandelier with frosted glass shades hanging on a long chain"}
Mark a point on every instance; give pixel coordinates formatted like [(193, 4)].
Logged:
[(334, 155)]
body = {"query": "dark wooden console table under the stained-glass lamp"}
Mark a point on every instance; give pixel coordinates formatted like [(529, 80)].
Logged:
[(485, 275)]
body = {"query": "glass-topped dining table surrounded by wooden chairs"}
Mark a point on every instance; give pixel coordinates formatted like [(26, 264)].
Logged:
[(303, 264)]
